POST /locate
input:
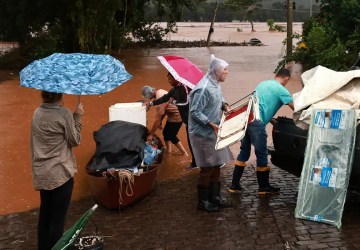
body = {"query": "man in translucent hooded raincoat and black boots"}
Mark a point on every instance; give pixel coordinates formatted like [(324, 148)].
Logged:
[(206, 106)]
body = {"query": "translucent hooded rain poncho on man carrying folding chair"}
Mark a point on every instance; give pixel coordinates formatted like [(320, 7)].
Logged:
[(206, 103)]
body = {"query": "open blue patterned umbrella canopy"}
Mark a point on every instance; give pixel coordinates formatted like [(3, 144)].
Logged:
[(78, 74)]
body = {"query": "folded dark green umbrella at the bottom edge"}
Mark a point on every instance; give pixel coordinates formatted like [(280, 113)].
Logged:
[(73, 232)]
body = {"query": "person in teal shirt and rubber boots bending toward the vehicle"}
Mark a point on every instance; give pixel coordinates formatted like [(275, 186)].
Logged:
[(271, 96)]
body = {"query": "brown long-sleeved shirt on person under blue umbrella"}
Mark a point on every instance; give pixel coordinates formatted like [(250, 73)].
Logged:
[(54, 131)]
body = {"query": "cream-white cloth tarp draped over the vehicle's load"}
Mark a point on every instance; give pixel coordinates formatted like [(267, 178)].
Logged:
[(323, 89)]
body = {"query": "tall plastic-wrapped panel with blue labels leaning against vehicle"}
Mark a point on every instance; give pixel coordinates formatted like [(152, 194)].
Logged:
[(327, 166)]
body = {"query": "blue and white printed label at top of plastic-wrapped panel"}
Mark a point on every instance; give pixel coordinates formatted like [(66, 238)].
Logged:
[(335, 119)]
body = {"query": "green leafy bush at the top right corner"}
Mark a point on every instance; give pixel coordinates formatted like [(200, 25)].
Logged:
[(332, 39)]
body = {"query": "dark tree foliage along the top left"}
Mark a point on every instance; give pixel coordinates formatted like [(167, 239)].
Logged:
[(42, 27)]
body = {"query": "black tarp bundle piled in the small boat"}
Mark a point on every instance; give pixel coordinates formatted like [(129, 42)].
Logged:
[(119, 144)]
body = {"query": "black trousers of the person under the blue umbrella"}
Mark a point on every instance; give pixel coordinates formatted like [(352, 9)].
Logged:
[(53, 207)]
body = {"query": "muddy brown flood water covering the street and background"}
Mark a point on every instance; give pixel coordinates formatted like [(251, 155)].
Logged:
[(248, 66)]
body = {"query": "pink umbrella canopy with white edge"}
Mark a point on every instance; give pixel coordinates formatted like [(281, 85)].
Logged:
[(182, 70)]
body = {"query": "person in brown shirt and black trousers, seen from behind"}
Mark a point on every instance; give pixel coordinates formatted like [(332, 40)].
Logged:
[(55, 130)]
